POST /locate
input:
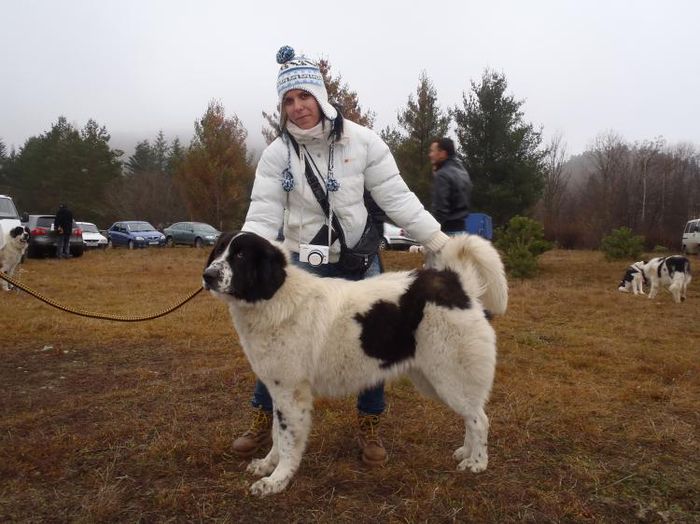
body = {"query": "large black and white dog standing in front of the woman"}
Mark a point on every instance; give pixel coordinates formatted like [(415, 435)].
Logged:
[(307, 336)]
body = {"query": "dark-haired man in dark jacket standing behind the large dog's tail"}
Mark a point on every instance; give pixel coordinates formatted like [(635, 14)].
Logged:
[(452, 187)]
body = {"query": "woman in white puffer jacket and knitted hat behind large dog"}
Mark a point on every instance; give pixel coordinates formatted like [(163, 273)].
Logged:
[(350, 159)]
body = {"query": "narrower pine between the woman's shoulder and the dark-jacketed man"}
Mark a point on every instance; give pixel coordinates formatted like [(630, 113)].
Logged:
[(421, 122)]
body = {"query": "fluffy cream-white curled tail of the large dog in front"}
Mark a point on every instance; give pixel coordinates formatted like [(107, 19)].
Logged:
[(481, 269)]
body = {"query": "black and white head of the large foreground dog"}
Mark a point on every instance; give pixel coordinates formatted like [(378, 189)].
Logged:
[(246, 266)]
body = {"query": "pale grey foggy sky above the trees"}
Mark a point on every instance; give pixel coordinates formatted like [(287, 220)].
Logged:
[(582, 68)]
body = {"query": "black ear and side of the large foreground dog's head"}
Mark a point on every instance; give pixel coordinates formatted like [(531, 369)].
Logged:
[(258, 268)]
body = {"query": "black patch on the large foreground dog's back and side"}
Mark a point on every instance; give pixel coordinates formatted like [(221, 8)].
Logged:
[(388, 330)]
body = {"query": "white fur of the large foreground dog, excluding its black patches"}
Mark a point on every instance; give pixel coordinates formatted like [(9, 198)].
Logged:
[(305, 341)]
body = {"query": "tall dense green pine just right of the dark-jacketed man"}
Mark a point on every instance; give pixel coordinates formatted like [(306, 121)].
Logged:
[(502, 152)]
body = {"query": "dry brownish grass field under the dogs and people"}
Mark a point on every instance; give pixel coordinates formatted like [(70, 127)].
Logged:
[(594, 413)]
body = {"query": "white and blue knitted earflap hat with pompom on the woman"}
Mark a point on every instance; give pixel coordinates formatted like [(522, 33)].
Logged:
[(298, 72)]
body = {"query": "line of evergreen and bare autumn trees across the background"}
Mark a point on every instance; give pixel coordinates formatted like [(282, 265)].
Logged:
[(651, 187)]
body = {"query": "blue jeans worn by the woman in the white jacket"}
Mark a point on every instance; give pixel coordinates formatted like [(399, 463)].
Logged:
[(370, 401)]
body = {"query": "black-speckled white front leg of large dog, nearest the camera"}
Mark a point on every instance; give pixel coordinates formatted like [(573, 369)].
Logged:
[(292, 411)]
